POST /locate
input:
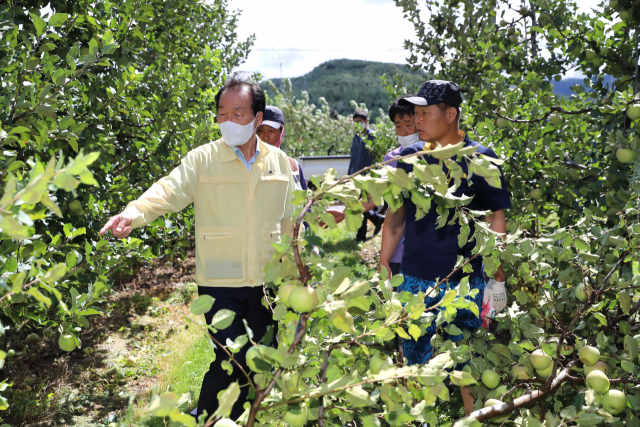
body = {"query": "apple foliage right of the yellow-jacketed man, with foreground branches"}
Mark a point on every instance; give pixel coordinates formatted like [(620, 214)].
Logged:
[(571, 255)]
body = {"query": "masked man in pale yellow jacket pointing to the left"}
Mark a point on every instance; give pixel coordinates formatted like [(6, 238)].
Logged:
[(241, 189)]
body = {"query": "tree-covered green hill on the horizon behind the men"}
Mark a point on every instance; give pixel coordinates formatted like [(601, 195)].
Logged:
[(342, 80)]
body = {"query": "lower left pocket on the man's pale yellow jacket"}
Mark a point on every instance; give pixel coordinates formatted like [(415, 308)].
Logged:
[(221, 254)]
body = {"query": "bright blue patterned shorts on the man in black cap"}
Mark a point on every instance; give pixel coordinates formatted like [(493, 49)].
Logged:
[(419, 352)]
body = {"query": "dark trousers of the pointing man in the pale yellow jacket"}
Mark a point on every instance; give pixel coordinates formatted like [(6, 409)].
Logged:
[(246, 302)]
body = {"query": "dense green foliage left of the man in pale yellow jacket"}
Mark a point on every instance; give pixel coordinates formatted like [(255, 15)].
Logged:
[(130, 82)]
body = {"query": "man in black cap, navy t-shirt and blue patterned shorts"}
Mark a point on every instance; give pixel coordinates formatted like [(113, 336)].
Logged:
[(431, 252)]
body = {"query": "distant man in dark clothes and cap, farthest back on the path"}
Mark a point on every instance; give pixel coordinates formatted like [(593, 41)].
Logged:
[(360, 159)]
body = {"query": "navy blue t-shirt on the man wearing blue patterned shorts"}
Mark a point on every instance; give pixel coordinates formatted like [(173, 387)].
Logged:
[(431, 253)]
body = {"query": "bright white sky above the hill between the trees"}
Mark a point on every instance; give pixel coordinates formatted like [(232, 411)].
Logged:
[(301, 34)]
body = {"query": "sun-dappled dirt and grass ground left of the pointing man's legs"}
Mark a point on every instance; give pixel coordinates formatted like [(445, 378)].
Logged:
[(89, 386)]
